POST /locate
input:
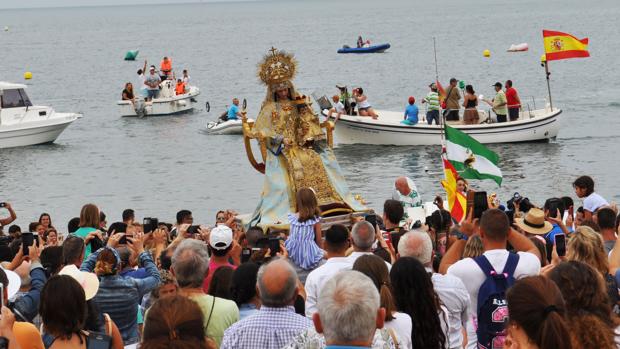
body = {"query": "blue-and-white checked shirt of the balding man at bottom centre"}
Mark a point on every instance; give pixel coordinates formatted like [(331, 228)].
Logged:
[(269, 328)]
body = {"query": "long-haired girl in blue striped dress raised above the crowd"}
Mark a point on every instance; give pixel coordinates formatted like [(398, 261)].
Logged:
[(304, 240)]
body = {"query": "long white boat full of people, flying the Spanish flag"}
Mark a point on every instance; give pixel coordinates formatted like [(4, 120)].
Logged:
[(531, 126)]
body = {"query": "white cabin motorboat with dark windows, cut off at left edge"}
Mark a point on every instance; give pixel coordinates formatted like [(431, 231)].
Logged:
[(22, 123)]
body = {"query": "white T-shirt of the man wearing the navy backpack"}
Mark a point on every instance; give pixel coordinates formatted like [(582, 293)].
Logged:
[(472, 276)]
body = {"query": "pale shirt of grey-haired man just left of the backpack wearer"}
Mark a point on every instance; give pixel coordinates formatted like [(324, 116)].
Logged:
[(455, 298)]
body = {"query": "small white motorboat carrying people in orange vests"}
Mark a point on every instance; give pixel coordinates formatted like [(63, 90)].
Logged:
[(167, 103)]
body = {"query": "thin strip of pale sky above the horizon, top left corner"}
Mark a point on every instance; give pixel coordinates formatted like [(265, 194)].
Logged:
[(5, 4)]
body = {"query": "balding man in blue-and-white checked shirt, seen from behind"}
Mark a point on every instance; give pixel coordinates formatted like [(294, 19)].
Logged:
[(276, 323)]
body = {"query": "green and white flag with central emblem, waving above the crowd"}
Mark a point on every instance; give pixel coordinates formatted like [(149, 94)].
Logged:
[(471, 159)]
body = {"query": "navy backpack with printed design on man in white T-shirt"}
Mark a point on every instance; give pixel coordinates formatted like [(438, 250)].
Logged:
[(492, 310)]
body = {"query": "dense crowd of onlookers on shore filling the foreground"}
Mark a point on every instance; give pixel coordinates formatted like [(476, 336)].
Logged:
[(516, 276)]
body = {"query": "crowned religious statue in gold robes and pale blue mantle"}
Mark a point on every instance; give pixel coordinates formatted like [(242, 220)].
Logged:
[(294, 147)]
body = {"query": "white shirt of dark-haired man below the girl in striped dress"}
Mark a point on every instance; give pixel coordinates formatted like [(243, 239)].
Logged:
[(318, 277)]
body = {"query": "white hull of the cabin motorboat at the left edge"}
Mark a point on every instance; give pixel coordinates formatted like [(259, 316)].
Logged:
[(34, 134)]
